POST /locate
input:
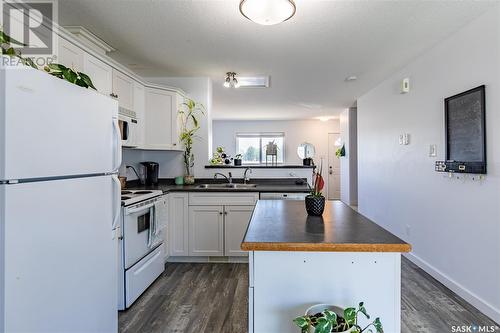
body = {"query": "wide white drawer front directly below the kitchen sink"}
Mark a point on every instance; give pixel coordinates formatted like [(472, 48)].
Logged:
[(219, 199)]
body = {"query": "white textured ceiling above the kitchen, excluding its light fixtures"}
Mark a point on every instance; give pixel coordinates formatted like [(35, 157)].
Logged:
[(307, 57)]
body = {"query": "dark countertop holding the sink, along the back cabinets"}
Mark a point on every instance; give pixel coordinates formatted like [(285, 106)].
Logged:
[(263, 185)]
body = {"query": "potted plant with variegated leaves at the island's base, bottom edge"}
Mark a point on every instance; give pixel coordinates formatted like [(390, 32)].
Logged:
[(324, 318)]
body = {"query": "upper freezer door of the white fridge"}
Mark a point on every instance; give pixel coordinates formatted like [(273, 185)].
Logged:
[(54, 128)]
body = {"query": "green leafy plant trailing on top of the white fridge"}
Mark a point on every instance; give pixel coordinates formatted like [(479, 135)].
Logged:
[(57, 70)]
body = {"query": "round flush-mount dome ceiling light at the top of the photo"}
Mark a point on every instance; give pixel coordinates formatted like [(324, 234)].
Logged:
[(267, 12)]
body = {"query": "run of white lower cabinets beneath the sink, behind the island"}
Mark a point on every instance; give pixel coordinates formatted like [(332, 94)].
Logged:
[(208, 224)]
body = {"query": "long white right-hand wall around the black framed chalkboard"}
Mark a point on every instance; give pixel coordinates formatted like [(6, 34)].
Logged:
[(453, 225)]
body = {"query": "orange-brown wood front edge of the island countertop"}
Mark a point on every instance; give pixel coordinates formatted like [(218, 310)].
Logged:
[(325, 247)]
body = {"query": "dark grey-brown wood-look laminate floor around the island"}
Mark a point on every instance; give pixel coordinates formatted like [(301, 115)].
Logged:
[(213, 298)]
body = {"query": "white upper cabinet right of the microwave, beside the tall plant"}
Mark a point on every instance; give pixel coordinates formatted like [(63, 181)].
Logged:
[(161, 121)]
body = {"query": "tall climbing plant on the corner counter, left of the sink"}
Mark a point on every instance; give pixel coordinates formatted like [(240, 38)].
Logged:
[(188, 113)]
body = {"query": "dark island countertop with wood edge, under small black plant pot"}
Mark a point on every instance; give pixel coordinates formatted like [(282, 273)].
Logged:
[(278, 225)]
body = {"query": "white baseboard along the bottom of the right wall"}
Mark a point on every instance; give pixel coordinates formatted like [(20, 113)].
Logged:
[(483, 306)]
